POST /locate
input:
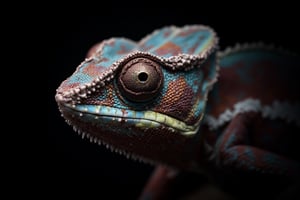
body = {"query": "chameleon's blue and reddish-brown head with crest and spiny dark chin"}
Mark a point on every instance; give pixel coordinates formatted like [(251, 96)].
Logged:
[(147, 97)]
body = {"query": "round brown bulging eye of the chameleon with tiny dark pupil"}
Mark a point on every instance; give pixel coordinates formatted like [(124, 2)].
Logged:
[(140, 80)]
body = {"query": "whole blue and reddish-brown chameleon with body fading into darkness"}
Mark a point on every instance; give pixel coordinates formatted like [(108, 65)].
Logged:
[(175, 99)]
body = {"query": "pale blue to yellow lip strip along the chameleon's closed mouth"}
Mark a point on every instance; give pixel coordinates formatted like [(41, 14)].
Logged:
[(140, 119)]
